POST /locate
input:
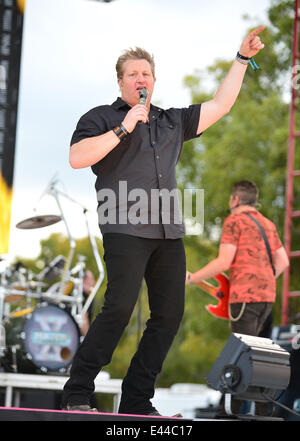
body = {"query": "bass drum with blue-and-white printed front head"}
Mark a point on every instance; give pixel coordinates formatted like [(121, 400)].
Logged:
[(44, 341)]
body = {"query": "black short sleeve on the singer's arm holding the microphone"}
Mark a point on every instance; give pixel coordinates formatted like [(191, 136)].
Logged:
[(89, 125)]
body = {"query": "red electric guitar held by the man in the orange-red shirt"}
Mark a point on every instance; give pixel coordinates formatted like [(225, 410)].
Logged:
[(220, 292)]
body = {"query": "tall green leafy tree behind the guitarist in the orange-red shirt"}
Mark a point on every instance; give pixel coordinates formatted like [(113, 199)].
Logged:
[(249, 143)]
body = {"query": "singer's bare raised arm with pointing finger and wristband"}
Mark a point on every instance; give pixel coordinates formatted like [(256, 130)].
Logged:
[(227, 93)]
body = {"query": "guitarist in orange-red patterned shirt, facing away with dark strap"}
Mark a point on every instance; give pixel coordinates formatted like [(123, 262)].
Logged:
[(252, 269)]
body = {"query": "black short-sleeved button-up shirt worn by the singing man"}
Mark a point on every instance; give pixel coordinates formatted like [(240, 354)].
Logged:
[(136, 181)]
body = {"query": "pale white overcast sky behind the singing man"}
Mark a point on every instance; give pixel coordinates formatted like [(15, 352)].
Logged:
[(70, 48)]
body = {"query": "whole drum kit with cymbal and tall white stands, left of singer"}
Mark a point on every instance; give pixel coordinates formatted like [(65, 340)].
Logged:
[(40, 317)]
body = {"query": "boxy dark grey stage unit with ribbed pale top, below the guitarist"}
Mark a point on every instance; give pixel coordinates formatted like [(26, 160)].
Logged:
[(250, 368)]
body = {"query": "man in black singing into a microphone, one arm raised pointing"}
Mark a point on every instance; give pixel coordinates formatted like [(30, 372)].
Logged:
[(139, 145)]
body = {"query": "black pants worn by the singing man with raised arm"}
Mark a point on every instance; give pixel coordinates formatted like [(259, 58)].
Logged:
[(128, 260)]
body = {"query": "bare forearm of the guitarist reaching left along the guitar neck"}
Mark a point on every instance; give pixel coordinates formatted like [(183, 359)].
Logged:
[(220, 264)]
